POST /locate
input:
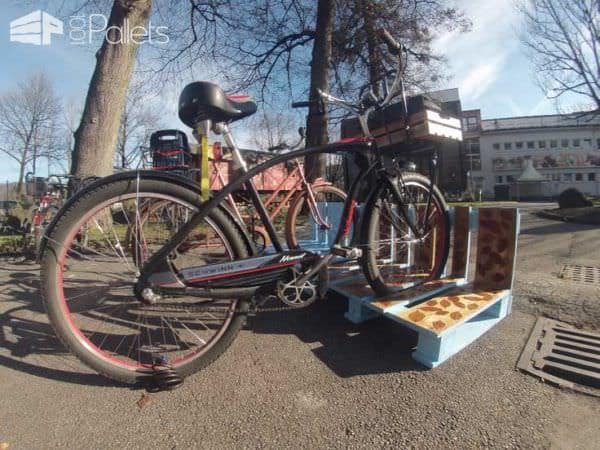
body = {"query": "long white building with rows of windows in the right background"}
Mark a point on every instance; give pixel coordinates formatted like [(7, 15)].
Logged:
[(531, 157)]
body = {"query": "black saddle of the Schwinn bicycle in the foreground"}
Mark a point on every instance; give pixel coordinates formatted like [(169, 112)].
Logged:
[(204, 100)]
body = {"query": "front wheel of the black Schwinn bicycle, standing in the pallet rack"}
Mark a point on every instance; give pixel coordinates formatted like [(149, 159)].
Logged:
[(393, 257)]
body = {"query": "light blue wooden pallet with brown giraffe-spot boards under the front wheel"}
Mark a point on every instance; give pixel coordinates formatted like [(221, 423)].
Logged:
[(491, 303)]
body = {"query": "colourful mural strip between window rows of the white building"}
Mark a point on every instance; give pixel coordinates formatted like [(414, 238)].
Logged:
[(573, 159)]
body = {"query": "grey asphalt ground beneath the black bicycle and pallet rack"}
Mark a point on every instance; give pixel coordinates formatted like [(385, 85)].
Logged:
[(311, 379)]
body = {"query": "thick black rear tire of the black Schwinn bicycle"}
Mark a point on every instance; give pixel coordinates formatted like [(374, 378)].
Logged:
[(54, 299)]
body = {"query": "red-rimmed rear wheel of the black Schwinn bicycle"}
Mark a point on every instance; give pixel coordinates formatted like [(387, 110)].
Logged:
[(90, 267)]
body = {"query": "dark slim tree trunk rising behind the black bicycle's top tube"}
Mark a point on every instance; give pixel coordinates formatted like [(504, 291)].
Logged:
[(316, 123)]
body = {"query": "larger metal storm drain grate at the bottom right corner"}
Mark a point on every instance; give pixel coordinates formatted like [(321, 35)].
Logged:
[(564, 355)]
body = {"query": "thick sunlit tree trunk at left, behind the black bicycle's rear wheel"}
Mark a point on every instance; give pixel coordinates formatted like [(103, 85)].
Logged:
[(96, 136)]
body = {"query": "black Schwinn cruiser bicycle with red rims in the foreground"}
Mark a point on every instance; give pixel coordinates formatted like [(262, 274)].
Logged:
[(171, 313)]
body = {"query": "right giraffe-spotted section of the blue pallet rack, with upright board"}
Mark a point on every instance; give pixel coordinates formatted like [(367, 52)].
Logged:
[(448, 323)]
